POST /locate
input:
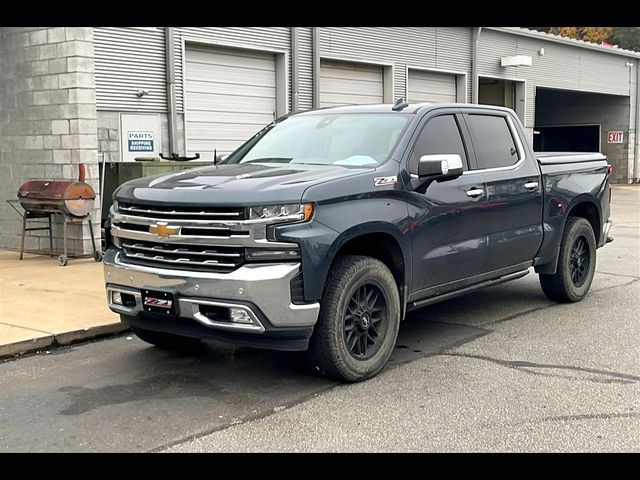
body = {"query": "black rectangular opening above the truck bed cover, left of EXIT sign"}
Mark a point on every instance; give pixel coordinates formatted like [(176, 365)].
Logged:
[(573, 138)]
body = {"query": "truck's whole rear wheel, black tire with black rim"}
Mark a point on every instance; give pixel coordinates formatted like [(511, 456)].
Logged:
[(575, 271)]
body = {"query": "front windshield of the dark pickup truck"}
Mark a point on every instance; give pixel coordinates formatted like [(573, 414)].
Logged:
[(330, 139)]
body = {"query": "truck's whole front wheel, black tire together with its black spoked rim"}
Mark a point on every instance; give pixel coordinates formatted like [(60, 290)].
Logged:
[(360, 301)]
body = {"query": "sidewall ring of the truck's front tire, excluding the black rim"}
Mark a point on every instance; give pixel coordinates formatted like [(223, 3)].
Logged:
[(385, 282)]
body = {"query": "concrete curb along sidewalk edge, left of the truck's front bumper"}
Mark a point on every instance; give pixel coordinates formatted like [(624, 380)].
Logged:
[(59, 340)]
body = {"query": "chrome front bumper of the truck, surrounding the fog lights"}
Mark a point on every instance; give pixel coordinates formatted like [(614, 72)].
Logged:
[(265, 286)]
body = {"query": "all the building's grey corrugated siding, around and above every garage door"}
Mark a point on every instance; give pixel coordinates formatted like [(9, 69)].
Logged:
[(128, 59)]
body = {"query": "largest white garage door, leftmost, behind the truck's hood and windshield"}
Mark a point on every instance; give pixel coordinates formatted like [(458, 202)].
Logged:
[(230, 95)]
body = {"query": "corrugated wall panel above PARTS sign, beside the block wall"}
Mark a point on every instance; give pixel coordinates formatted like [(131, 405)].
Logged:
[(128, 59)]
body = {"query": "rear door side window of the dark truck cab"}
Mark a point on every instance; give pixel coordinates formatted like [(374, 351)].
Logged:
[(493, 142)]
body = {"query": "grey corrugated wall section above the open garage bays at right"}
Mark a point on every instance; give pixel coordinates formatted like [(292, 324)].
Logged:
[(562, 66)]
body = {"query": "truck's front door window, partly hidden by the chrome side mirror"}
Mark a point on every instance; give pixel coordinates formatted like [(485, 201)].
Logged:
[(440, 135)]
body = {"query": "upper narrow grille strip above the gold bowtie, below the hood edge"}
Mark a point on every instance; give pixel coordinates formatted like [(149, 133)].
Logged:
[(182, 213)]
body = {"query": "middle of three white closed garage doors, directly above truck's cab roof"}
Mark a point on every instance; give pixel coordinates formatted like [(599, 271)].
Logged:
[(343, 83)]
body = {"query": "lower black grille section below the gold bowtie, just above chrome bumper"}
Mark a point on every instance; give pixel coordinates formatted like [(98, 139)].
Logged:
[(216, 259)]
